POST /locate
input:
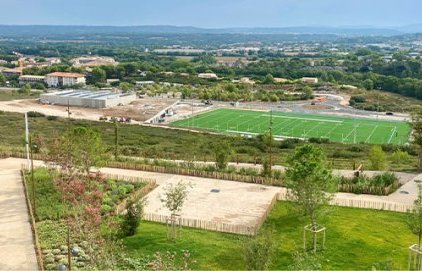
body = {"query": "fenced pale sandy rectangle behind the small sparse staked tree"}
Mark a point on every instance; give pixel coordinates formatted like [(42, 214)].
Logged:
[(232, 204)]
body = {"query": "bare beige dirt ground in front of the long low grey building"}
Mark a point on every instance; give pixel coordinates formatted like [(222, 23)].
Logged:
[(139, 110)]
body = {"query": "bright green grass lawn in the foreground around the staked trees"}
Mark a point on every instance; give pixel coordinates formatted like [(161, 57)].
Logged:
[(356, 239)]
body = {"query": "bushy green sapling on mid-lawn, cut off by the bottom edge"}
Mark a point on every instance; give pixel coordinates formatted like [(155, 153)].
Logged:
[(258, 252)]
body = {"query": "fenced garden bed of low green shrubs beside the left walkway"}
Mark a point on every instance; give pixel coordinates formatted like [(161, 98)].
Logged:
[(52, 215)]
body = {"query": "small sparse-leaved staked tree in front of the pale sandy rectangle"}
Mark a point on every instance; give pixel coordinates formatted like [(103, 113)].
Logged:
[(173, 199)]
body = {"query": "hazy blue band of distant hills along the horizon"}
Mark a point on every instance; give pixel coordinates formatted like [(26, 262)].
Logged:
[(47, 30)]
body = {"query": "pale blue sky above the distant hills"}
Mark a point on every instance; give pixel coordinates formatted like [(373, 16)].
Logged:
[(213, 13)]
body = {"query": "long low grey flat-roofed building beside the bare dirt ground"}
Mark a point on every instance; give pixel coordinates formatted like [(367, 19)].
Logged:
[(86, 98)]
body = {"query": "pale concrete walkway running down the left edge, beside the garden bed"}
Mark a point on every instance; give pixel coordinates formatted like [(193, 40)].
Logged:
[(16, 241)]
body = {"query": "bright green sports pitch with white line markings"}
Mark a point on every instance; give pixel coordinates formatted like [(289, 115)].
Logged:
[(294, 125)]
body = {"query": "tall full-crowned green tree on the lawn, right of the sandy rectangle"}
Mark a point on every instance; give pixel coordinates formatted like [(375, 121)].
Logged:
[(310, 183)]
